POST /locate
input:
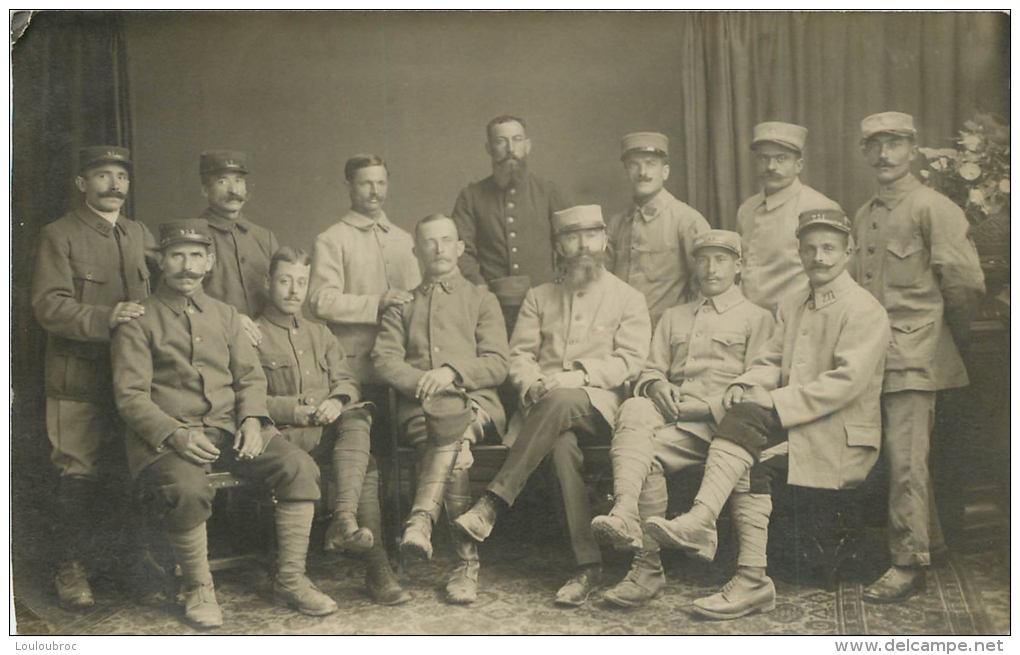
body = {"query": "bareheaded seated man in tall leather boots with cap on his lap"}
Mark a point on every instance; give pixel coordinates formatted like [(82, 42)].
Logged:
[(450, 337)]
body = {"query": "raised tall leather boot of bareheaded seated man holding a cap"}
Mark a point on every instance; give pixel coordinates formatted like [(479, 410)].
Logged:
[(437, 467)]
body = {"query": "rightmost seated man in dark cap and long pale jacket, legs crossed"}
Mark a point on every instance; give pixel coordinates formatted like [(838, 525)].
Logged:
[(807, 407)]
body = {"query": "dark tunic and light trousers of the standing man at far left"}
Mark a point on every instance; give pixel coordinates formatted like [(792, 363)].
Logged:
[(85, 267)]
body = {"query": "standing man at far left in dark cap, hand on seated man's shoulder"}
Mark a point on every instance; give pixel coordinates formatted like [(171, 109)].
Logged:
[(92, 273)]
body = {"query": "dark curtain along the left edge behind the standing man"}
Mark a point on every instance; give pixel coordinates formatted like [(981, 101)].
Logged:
[(70, 90)]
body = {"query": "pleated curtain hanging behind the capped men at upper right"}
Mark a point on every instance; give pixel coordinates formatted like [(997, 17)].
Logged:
[(827, 72)]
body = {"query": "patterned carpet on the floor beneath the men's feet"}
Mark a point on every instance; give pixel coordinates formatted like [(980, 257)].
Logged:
[(519, 581)]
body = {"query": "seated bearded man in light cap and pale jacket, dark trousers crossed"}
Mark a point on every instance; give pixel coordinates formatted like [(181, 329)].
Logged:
[(578, 341)]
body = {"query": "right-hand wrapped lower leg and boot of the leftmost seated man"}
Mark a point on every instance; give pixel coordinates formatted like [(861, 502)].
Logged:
[(292, 587)]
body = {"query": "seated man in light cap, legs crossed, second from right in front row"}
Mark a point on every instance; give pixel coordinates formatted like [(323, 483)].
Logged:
[(698, 349)]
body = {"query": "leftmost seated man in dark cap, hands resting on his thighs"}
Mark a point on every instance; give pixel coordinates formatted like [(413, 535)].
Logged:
[(192, 395)]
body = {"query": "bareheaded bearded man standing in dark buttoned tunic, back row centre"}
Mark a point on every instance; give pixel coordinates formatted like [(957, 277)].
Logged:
[(504, 220)]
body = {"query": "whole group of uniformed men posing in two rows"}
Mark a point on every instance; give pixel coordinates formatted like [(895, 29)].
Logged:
[(799, 347)]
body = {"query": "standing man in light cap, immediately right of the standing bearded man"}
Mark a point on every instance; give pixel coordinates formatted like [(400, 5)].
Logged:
[(651, 245)]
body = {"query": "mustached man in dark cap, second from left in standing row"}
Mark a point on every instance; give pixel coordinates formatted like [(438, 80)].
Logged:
[(243, 249)]
